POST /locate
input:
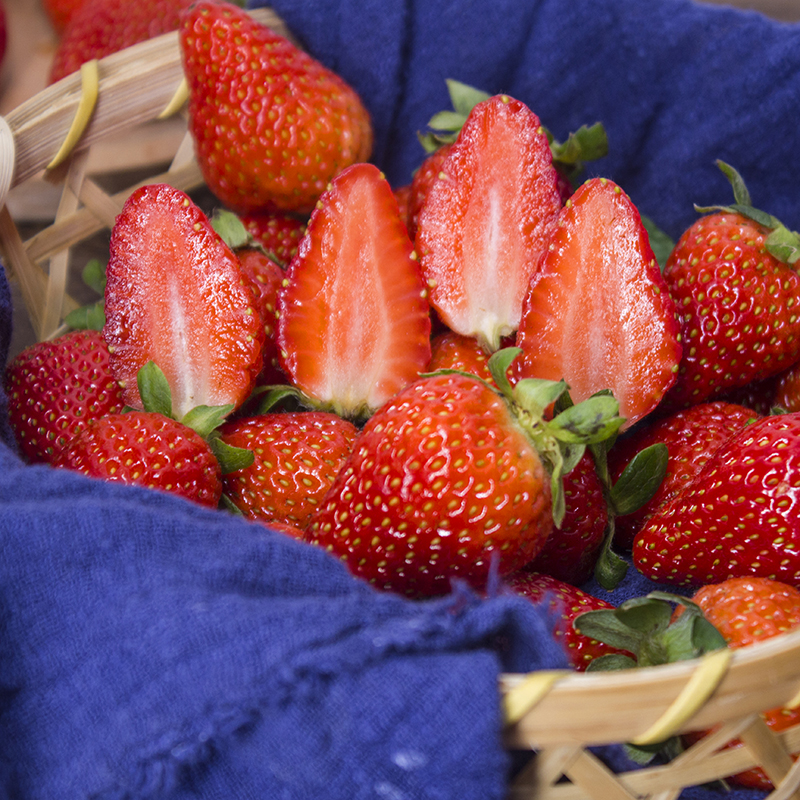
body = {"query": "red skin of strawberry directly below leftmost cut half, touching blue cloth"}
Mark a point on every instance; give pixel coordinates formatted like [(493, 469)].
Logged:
[(147, 449)]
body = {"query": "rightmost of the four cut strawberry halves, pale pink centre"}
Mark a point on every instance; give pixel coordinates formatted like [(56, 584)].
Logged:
[(597, 313)]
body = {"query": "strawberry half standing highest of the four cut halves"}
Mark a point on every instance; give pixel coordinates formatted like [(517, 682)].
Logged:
[(486, 220)]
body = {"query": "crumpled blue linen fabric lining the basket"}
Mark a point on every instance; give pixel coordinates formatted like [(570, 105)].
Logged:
[(150, 648)]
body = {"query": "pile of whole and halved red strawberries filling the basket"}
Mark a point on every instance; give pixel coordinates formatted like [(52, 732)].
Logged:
[(485, 372)]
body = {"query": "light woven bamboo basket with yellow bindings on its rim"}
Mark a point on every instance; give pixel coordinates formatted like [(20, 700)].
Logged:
[(556, 716)]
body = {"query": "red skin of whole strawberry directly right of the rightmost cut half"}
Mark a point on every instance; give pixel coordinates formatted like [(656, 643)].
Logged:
[(737, 303)]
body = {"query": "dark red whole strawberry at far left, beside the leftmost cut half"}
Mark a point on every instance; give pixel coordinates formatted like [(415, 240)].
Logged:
[(55, 388)]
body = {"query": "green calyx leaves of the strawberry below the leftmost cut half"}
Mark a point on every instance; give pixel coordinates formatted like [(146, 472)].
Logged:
[(205, 420)]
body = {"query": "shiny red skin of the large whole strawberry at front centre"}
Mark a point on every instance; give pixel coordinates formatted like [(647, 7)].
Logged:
[(441, 481)]
